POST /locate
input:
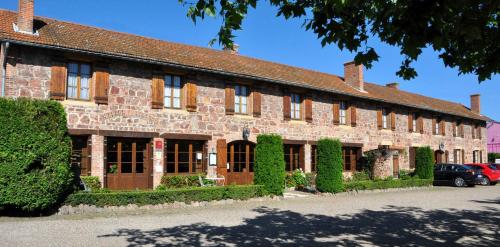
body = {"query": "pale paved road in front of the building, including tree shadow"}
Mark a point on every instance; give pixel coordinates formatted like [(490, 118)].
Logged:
[(440, 216)]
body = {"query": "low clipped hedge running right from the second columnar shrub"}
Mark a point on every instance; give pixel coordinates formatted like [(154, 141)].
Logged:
[(386, 184)]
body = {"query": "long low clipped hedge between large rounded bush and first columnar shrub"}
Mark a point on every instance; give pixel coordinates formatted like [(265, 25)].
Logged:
[(187, 195)]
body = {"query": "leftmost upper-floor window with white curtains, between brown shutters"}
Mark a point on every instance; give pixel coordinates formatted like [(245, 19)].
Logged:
[(79, 77)]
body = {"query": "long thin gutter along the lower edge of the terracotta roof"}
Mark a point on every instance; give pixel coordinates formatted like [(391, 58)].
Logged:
[(219, 72)]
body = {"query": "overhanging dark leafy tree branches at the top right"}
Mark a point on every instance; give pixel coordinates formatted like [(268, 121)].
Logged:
[(463, 32)]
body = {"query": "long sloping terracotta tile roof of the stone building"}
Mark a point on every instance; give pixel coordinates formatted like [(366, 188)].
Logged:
[(64, 35)]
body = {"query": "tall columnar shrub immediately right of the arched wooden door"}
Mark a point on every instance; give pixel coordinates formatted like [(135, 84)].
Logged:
[(269, 168)]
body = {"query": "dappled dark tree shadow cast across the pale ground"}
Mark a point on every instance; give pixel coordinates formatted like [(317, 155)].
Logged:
[(393, 226)]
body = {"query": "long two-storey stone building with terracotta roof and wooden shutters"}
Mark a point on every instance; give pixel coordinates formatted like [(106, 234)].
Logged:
[(140, 108)]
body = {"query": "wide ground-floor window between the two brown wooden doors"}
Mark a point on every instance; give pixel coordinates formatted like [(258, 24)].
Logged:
[(184, 156)]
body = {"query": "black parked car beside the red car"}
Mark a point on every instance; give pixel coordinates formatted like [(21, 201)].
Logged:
[(457, 175)]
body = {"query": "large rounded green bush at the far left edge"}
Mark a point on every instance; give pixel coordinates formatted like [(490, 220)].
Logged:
[(35, 152)]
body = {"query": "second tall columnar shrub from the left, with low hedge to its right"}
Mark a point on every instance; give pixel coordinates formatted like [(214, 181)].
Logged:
[(329, 176)]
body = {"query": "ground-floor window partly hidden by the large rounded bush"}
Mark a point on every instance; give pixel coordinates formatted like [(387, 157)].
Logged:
[(80, 155)]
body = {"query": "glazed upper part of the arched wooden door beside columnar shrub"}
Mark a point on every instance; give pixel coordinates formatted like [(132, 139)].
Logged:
[(240, 156)]
